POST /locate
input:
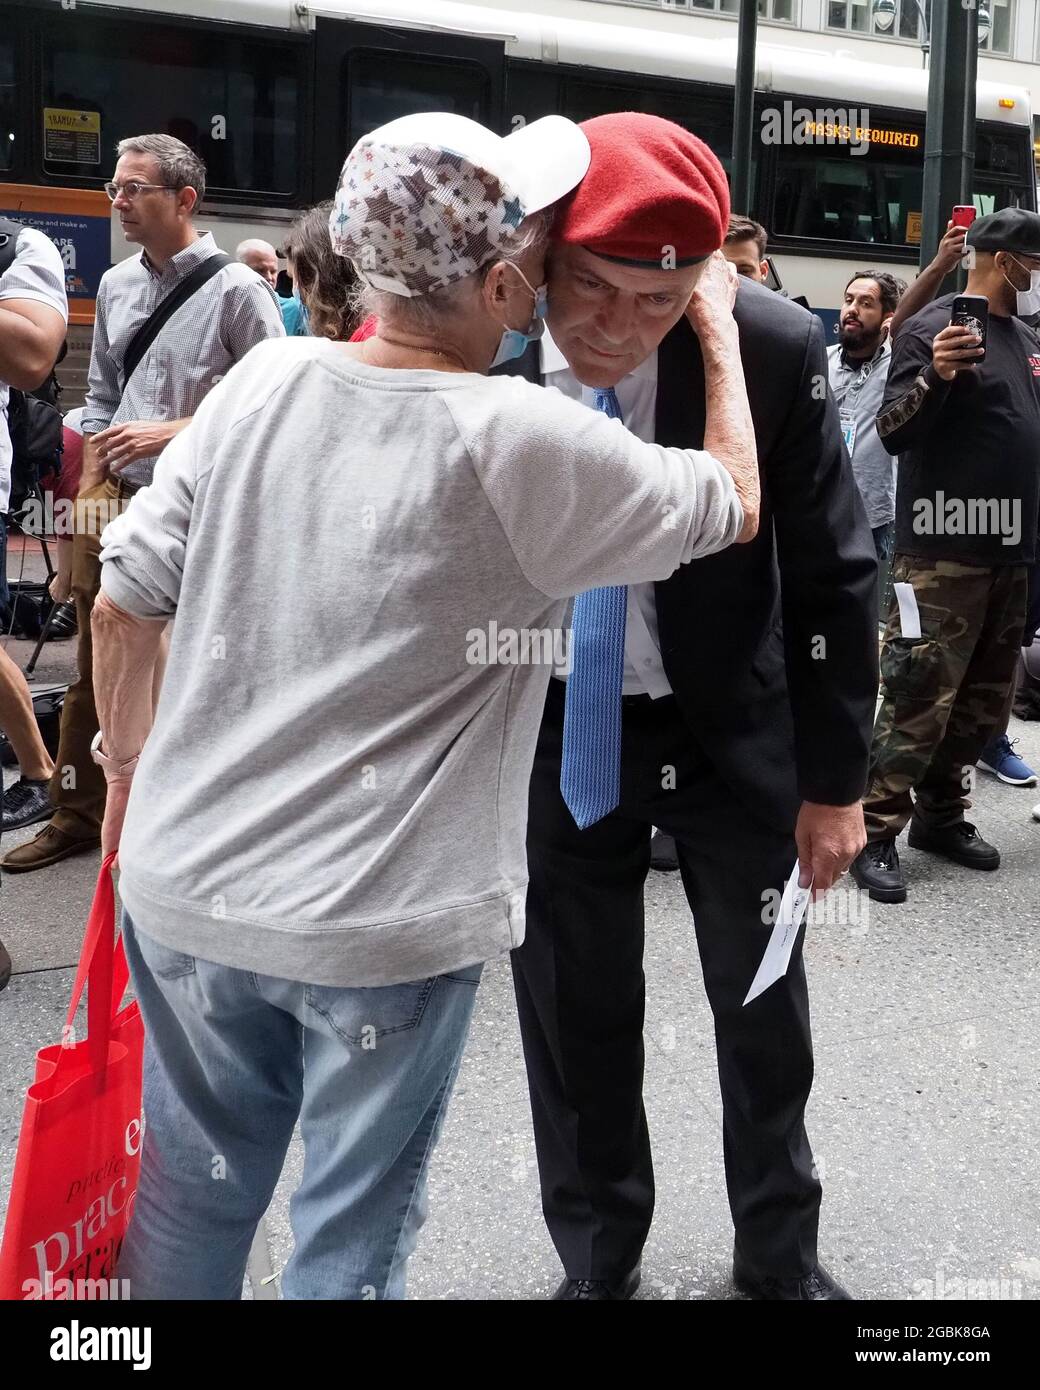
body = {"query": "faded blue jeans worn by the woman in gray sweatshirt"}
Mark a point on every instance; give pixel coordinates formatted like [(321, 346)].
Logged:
[(231, 1061)]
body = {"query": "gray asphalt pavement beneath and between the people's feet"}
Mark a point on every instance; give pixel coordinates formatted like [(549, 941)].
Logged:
[(925, 1117)]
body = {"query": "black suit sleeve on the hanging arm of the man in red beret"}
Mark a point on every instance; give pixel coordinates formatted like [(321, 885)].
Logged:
[(829, 591)]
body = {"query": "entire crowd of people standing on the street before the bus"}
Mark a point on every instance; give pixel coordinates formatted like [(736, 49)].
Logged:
[(329, 817)]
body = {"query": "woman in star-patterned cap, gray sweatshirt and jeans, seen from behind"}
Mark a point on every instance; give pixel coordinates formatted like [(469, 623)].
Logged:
[(325, 837)]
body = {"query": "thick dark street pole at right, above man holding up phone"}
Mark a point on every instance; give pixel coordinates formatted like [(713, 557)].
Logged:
[(950, 129)]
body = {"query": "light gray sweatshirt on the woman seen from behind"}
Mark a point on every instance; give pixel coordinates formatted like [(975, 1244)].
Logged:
[(336, 786)]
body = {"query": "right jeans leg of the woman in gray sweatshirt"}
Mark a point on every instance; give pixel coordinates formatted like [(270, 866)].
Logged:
[(379, 1070)]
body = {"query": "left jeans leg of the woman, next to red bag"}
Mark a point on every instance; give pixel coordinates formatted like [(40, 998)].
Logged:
[(223, 1085)]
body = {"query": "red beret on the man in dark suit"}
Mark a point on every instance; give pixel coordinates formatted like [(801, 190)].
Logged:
[(651, 186)]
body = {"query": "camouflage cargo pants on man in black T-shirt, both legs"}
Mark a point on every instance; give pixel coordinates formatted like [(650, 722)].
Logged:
[(943, 693)]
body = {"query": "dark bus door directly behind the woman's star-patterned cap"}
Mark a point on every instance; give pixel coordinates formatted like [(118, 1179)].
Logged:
[(369, 74)]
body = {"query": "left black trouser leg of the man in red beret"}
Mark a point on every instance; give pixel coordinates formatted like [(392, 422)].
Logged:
[(580, 999)]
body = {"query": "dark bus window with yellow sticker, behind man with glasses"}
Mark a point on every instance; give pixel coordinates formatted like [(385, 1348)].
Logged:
[(231, 99)]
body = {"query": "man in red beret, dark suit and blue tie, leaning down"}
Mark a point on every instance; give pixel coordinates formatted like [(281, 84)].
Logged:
[(689, 708)]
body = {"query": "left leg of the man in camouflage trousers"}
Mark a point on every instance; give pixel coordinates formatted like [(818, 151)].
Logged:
[(921, 679)]
